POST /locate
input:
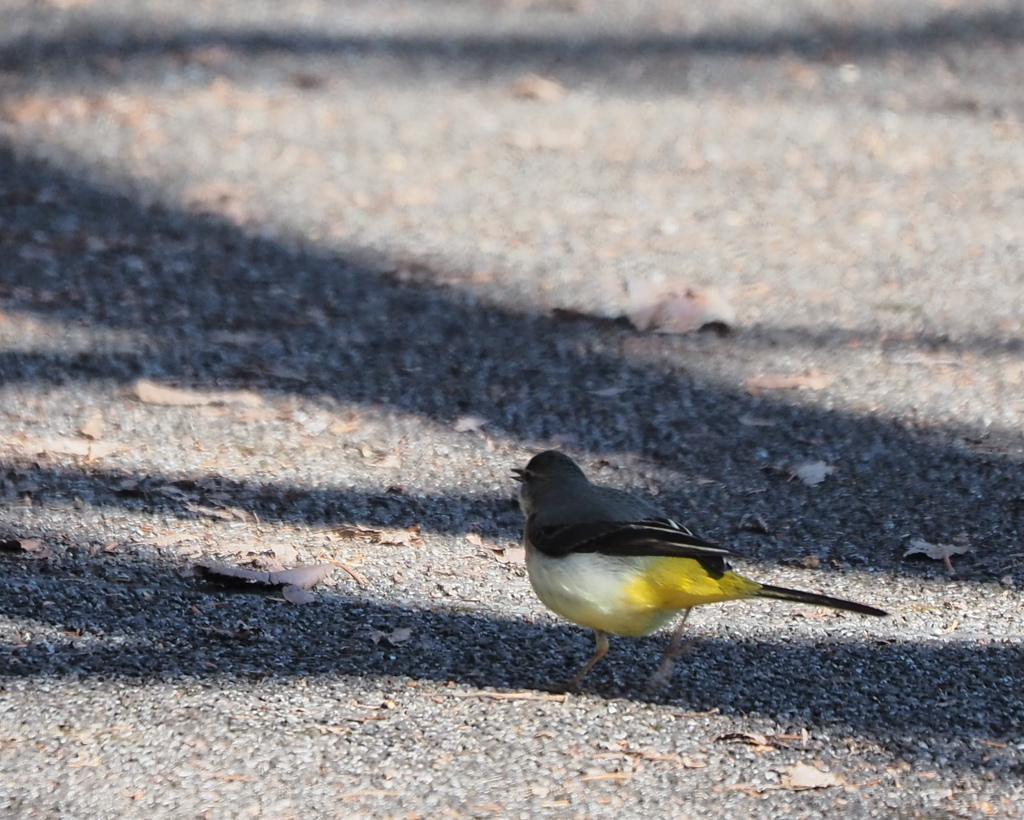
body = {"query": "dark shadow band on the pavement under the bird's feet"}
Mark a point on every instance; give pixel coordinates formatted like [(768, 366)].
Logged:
[(164, 626)]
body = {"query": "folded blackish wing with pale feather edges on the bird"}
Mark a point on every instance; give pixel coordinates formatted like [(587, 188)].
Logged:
[(652, 537)]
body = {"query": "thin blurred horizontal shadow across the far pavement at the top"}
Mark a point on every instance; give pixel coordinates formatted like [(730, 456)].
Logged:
[(100, 45)]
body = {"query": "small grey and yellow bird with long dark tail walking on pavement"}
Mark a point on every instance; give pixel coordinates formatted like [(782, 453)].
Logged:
[(614, 563)]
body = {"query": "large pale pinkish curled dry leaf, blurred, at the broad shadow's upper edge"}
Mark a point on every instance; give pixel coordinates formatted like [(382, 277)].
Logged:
[(674, 309)]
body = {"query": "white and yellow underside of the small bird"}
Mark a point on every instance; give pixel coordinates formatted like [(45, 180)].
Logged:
[(628, 596)]
